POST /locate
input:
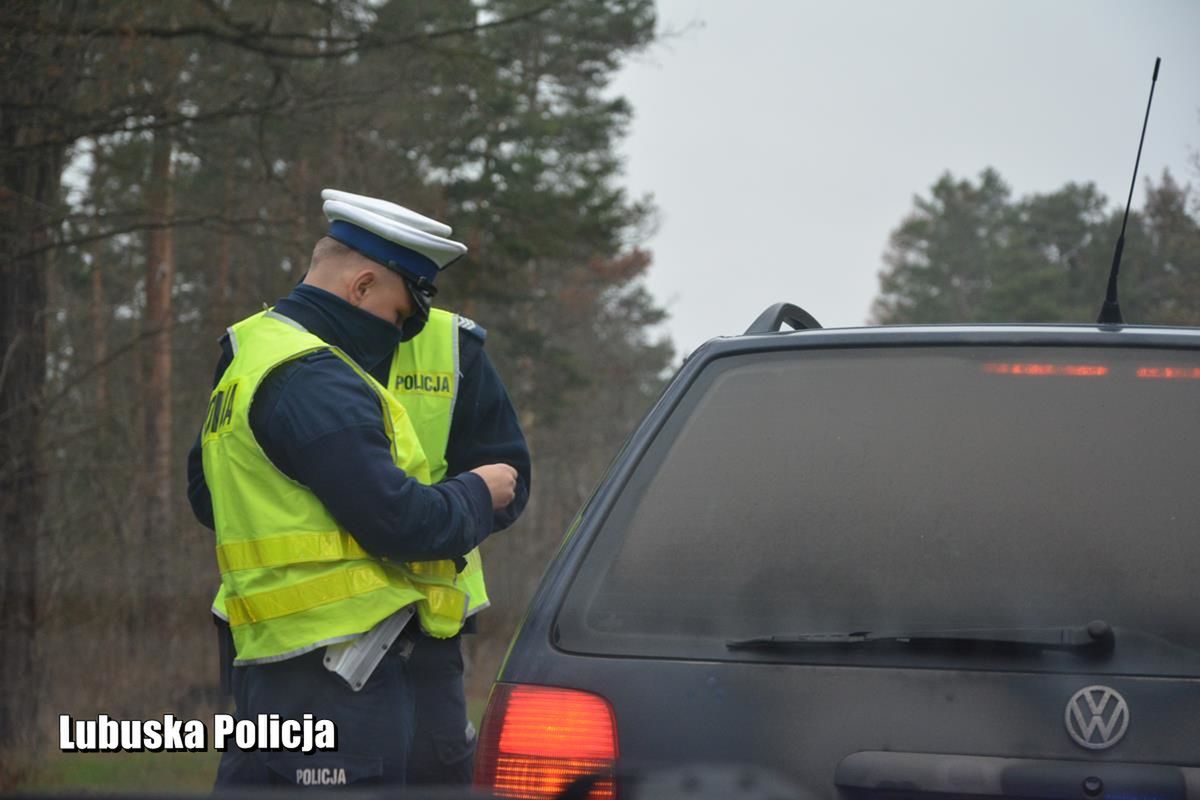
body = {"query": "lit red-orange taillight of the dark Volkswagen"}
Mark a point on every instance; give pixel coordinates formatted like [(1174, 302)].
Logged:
[(536, 741)]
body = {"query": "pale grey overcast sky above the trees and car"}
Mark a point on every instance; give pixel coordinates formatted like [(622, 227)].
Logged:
[(784, 140)]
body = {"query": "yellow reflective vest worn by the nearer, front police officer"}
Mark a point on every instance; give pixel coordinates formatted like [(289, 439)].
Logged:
[(292, 579)]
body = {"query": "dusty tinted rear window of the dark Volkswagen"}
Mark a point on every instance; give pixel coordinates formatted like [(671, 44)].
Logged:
[(910, 489)]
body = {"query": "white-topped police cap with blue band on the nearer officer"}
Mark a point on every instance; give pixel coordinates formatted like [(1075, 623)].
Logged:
[(387, 240)]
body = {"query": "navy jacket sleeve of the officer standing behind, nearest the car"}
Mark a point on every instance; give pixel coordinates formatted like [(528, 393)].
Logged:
[(485, 429)]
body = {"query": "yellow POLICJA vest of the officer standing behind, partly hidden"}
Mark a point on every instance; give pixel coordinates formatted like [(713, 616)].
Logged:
[(424, 377)]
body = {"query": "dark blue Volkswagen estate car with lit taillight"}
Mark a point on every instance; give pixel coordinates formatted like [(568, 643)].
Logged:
[(884, 563)]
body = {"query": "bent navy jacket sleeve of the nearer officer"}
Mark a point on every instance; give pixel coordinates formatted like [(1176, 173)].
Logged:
[(323, 428)]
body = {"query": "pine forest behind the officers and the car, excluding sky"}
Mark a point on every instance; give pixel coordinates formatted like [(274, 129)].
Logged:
[(161, 175)]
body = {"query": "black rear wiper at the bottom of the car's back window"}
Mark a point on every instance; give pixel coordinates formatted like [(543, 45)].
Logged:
[(1095, 639)]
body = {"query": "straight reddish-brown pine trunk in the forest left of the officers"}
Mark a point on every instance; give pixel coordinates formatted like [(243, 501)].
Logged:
[(158, 518)]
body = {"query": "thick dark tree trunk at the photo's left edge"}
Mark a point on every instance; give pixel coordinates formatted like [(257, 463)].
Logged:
[(37, 82)]
